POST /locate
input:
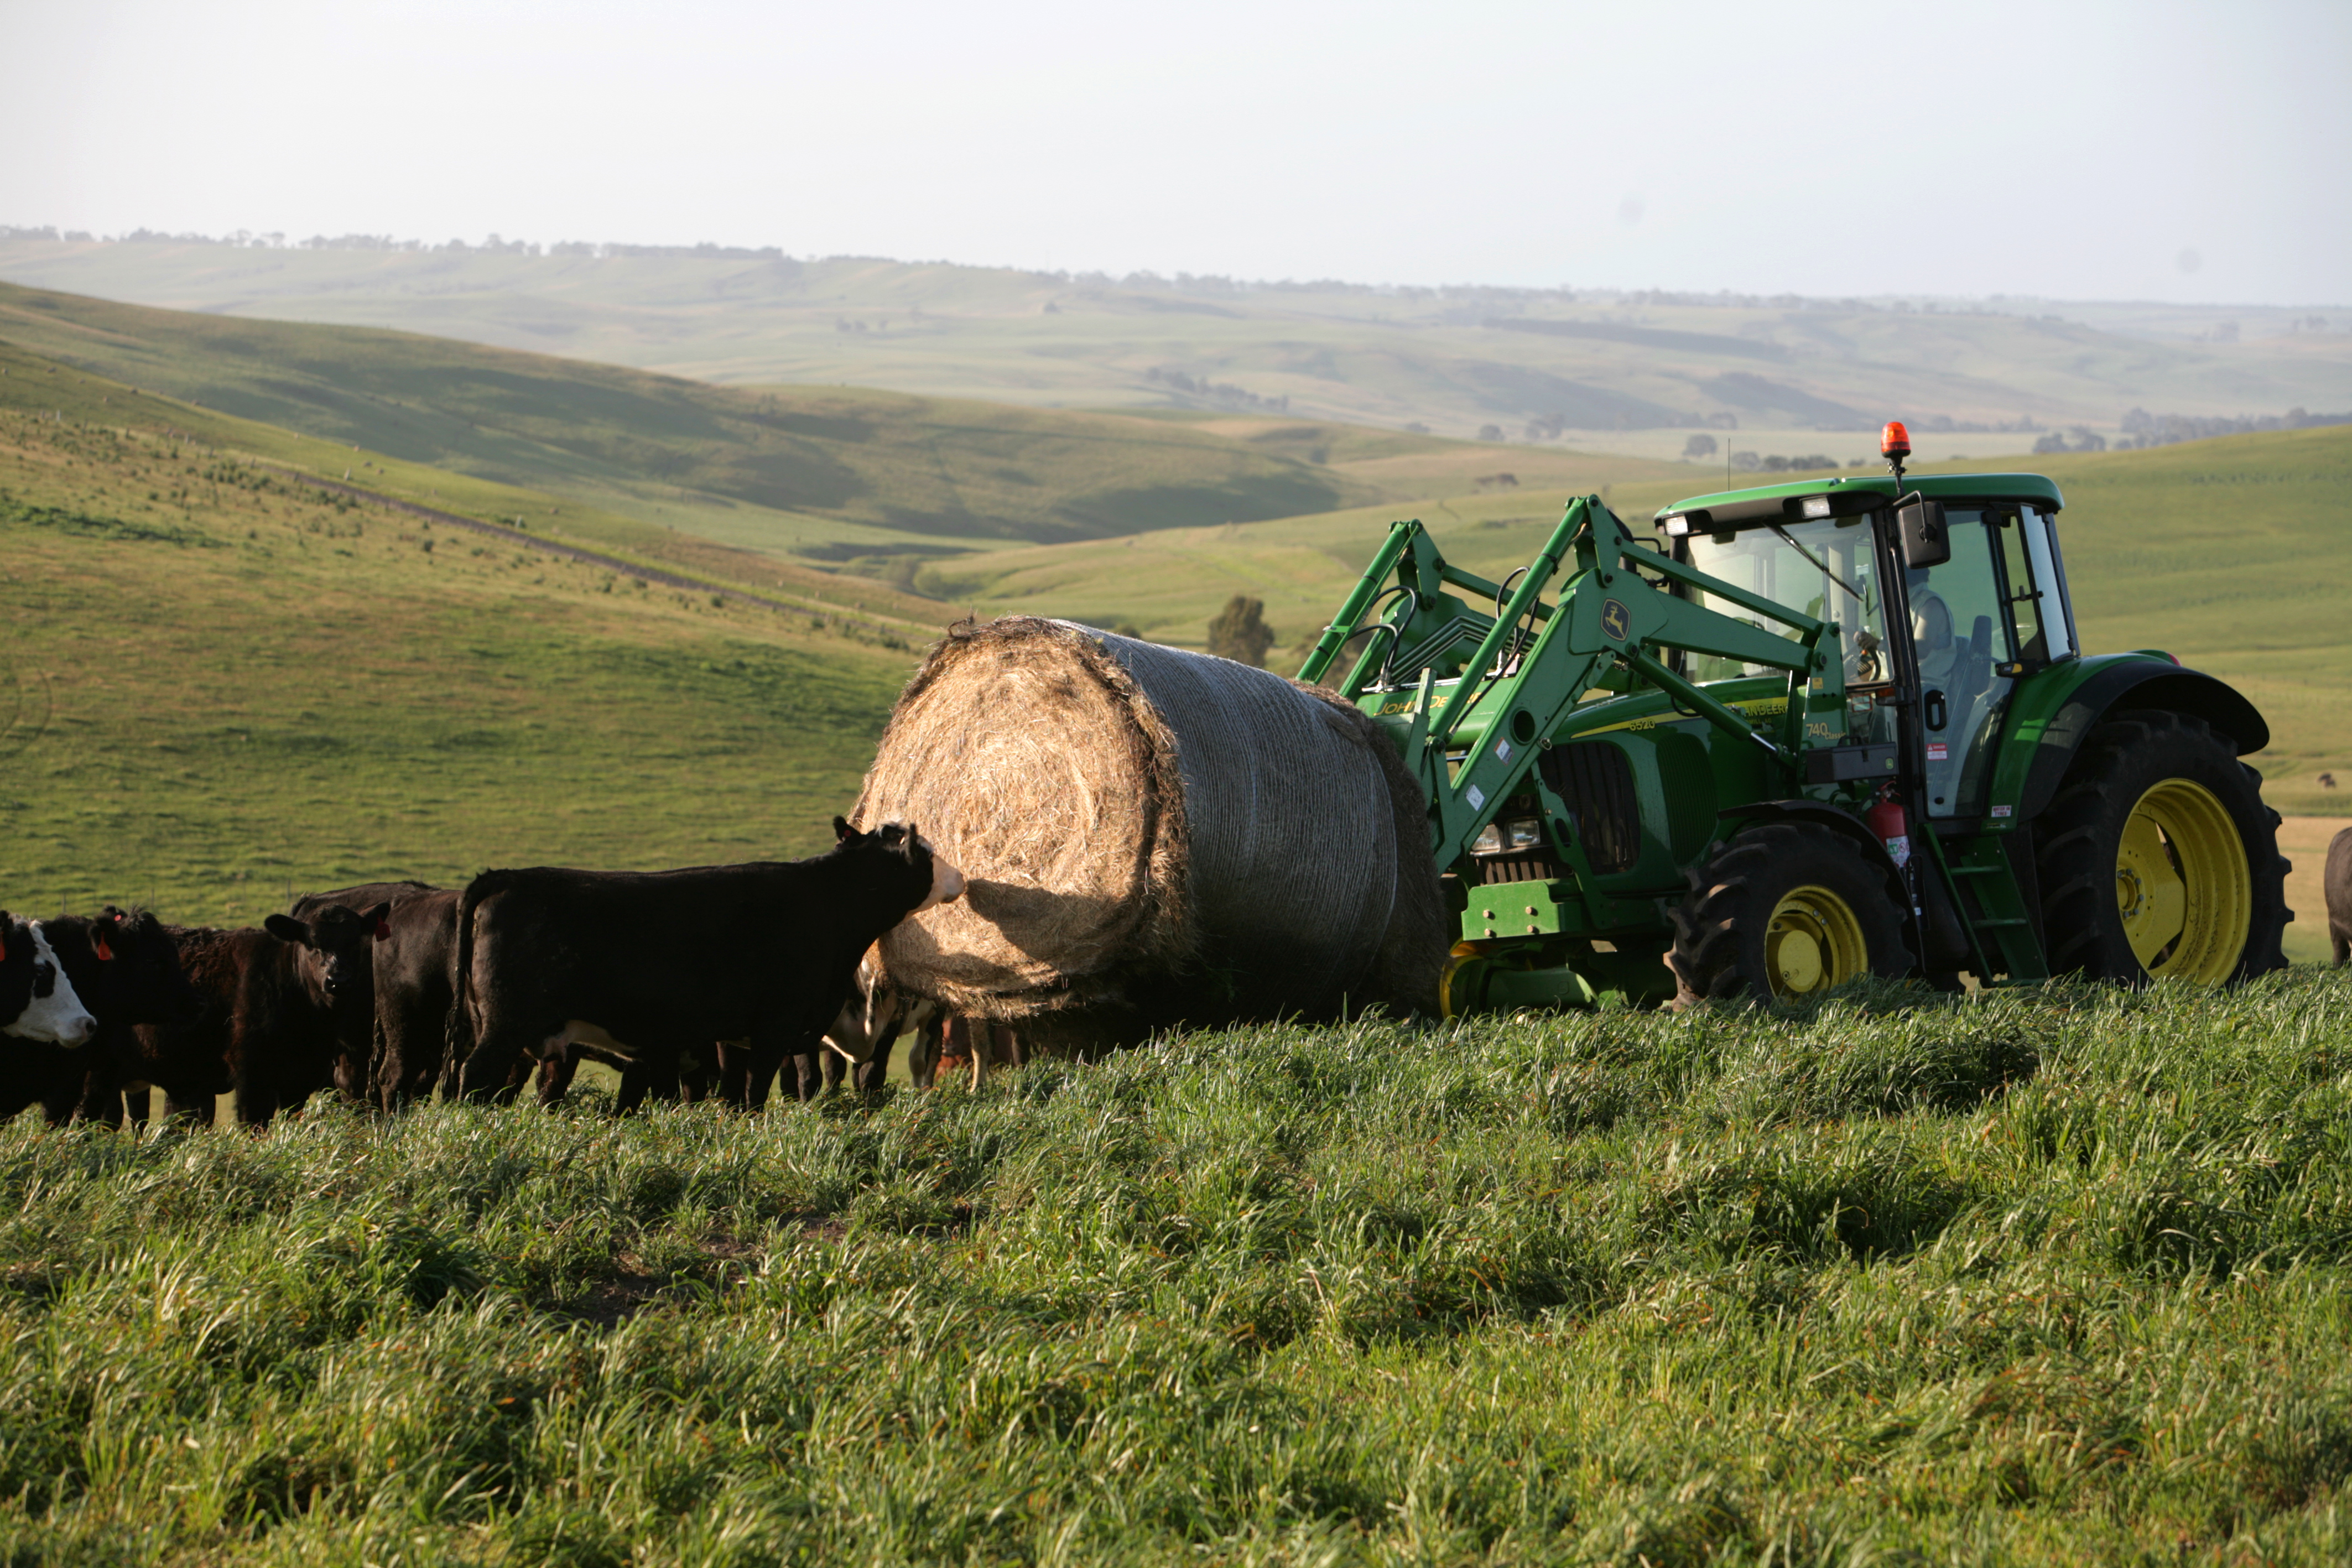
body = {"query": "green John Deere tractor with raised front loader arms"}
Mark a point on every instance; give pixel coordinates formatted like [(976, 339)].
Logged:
[(1817, 732)]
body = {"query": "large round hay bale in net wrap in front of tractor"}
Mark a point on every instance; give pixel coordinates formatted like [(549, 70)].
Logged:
[(1154, 831)]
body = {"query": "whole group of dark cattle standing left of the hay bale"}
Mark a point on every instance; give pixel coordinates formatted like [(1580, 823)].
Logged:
[(693, 984)]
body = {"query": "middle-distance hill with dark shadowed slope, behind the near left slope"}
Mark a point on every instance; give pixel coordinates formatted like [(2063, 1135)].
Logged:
[(761, 469)]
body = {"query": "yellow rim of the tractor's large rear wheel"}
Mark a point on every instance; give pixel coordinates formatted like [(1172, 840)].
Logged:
[(2184, 885)]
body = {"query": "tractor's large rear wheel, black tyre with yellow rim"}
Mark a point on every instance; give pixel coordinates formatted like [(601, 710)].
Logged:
[(2158, 859)]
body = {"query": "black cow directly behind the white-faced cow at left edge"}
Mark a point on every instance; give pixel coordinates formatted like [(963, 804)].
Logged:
[(126, 967)]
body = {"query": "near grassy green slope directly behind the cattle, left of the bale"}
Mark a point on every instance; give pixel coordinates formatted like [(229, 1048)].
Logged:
[(225, 685)]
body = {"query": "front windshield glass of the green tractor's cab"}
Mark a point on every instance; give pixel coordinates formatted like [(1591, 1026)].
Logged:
[(1829, 570)]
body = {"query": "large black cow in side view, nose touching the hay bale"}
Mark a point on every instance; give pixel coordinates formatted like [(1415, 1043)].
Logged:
[(763, 953)]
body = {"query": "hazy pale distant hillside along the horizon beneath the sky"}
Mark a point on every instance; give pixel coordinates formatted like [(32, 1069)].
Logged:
[(1582, 368)]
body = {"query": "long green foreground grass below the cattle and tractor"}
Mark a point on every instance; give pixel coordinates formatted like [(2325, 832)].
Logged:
[(2033, 1280)]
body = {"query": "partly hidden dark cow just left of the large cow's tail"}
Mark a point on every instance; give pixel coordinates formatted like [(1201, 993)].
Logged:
[(413, 956)]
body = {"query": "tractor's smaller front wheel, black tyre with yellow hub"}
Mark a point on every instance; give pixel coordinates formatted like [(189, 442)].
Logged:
[(1786, 911)]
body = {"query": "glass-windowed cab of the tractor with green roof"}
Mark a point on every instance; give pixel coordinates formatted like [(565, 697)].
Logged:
[(1932, 638)]
